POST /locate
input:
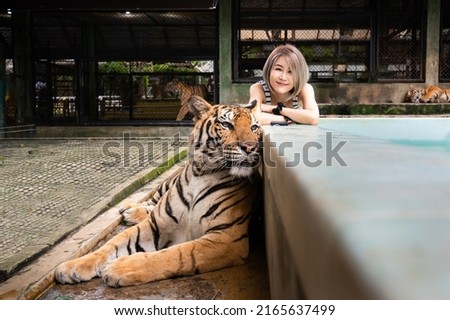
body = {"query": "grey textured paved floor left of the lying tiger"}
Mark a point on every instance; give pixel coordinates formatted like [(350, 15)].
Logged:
[(52, 186)]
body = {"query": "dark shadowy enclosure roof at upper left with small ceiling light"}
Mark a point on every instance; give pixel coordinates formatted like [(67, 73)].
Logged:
[(115, 30)]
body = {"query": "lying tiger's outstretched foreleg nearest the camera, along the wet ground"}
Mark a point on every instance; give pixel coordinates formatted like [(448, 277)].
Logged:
[(209, 253)]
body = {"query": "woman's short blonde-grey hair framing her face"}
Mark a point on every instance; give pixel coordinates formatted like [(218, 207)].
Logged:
[(296, 63)]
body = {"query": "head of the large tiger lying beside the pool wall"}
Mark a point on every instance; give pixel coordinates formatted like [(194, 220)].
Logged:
[(225, 137)]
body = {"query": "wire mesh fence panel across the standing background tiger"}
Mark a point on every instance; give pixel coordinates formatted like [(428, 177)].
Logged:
[(151, 95)]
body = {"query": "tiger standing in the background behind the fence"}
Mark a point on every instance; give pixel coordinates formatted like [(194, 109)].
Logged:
[(184, 91)]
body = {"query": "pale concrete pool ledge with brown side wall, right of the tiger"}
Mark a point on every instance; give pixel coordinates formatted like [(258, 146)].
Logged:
[(321, 211)]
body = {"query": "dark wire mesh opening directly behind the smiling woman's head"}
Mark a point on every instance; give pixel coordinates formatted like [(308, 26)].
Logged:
[(351, 40)]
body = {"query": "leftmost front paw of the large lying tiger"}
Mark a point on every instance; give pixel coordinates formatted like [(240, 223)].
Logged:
[(77, 270)]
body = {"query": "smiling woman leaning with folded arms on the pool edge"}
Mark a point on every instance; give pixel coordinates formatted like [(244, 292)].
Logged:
[(284, 94)]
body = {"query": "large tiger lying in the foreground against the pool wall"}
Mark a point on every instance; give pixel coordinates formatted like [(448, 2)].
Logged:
[(198, 220)]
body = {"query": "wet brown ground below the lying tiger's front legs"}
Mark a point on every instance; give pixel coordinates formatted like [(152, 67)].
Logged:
[(246, 282)]
